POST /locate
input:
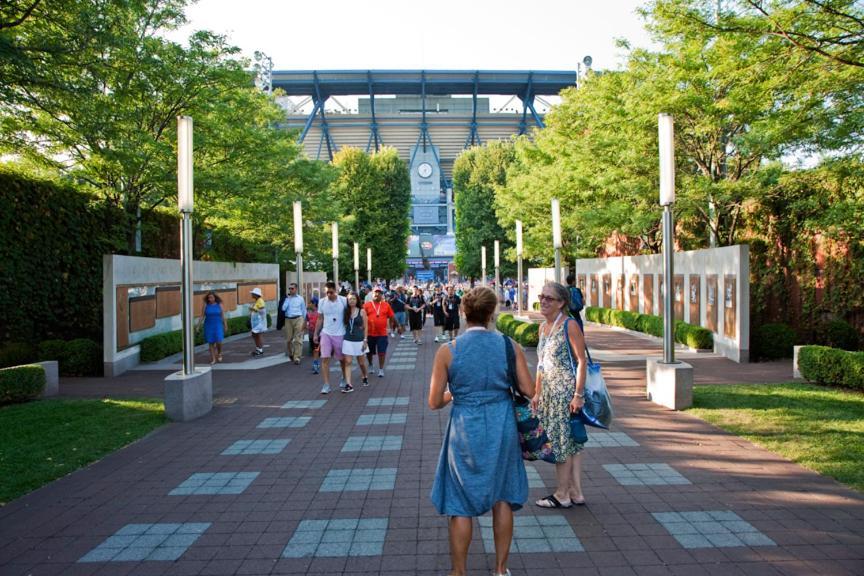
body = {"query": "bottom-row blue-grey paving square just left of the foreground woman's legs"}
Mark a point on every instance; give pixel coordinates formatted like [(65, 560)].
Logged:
[(338, 537)]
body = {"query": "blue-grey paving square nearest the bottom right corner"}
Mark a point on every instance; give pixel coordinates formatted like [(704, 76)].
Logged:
[(711, 529)]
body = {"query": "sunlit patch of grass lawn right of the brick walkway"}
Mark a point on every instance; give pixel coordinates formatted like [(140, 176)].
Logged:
[(820, 428)]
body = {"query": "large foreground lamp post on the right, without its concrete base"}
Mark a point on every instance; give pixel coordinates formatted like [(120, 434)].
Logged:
[(666, 132)]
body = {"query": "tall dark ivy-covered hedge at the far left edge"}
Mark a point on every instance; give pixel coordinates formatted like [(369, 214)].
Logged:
[(53, 239)]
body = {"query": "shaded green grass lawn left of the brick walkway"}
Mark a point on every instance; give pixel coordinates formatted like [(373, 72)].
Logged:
[(43, 440)]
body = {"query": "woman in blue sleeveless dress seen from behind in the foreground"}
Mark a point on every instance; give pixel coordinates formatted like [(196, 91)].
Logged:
[(480, 467)]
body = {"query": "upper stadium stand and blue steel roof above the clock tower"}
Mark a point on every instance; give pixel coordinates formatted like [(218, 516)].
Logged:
[(324, 133)]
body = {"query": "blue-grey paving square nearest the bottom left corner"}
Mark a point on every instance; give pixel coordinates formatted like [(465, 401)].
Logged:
[(150, 542)]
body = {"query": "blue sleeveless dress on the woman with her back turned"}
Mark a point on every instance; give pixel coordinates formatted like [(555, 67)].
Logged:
[(480, 462)]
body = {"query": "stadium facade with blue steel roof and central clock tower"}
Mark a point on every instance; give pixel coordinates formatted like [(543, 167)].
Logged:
[(430, 117)]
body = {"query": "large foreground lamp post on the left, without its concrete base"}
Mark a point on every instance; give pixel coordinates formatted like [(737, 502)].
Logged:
[(185, 203)]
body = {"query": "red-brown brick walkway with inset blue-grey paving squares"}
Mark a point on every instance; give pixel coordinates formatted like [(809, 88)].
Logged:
[(275, 481)]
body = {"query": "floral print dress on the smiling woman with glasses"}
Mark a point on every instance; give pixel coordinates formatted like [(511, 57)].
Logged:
[(557, 389)]
